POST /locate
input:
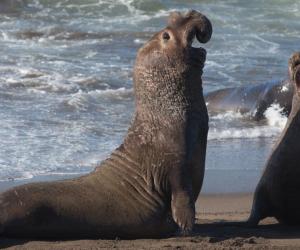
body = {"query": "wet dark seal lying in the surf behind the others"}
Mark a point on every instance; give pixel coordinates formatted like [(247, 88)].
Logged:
[(253, 99)]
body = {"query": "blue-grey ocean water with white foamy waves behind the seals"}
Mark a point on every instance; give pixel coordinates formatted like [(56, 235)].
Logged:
[(66, 81)]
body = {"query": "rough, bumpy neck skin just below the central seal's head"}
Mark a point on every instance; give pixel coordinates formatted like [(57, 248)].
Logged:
[(167, 86)]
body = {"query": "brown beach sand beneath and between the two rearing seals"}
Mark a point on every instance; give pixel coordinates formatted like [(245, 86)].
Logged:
[(209, 233)]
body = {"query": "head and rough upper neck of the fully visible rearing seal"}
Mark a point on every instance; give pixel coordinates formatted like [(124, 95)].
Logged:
[(168, 67)]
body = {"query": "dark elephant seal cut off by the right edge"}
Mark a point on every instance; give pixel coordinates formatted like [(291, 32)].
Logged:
[(278, 191)]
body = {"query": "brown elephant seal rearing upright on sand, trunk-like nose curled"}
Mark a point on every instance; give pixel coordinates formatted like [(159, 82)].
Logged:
[(148, 186)]
